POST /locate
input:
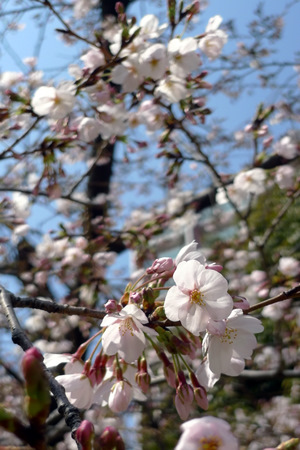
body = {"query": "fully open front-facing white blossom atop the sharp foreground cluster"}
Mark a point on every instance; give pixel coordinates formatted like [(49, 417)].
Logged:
[(199, 294)]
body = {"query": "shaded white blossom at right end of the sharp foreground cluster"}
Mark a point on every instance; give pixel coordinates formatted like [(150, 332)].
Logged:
[(230, 341)]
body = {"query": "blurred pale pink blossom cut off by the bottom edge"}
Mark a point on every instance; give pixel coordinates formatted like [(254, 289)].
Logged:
[(206, 432)]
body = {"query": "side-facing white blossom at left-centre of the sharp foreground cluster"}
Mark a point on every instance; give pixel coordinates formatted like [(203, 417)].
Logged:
[(125, 333)]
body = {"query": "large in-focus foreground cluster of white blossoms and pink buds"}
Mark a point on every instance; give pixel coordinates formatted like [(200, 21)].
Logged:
[(213, 331)]
